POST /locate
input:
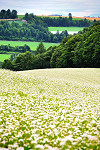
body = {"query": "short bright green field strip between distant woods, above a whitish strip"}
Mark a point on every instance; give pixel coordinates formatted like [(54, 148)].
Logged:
[(65, 28)]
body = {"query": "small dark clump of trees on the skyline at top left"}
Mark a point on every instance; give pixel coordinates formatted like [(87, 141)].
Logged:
[(8, 14)]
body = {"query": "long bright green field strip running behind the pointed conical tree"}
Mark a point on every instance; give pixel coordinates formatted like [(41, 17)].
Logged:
[(32, 45)]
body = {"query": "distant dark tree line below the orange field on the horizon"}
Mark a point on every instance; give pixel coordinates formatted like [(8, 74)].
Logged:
[(57, 21)]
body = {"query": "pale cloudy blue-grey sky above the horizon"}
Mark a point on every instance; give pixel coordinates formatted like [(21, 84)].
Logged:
[(48, 7)]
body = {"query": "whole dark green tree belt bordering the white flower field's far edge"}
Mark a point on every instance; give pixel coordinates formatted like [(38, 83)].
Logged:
[(80, 50)]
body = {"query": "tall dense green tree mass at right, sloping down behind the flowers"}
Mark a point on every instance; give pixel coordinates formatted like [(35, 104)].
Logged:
[(80, 50)]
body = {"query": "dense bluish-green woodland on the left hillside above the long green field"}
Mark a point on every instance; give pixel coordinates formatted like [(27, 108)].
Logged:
[(28, 32)]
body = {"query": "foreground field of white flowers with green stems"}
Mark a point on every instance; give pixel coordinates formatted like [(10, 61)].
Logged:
[(55, 109)]
